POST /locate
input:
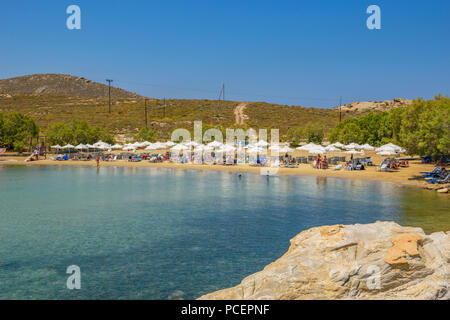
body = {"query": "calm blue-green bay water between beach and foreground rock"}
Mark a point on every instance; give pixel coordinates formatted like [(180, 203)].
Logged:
[(160, 233)]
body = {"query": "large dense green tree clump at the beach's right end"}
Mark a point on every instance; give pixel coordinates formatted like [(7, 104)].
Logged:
[(422, 128)]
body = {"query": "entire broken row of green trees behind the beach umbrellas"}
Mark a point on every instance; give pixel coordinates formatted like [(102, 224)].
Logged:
[(422, 128)]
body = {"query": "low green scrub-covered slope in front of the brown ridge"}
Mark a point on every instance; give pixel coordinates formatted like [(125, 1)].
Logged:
[(128, 114)]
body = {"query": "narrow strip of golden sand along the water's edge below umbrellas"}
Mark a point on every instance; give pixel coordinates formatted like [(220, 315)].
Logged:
[(404, 176)]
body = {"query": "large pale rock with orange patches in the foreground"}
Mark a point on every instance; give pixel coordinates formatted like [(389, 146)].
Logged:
[(382, 260)]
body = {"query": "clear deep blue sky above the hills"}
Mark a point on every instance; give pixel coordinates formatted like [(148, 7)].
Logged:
[(297, 52)]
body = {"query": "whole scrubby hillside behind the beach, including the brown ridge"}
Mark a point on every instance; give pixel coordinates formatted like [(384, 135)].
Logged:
[(52, 98)]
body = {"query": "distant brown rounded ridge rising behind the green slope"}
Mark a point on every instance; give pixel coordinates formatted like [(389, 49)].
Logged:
[(61, 84)]
